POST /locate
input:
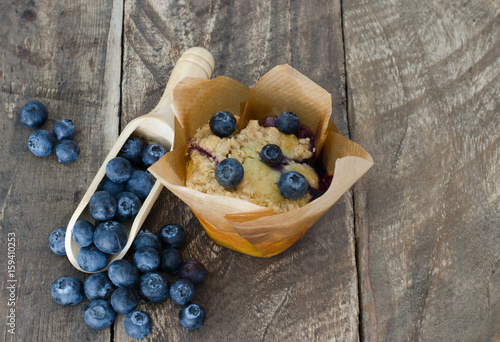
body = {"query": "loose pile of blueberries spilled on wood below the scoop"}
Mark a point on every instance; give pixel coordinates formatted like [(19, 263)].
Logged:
[(145, 276)]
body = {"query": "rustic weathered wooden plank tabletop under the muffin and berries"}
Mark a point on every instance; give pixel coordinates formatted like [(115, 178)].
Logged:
[(411, 253)]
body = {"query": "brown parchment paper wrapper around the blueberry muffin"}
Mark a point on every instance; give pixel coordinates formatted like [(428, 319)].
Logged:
[(238, 224)]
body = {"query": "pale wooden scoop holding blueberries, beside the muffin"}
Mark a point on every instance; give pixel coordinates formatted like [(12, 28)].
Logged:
[(155, 127)]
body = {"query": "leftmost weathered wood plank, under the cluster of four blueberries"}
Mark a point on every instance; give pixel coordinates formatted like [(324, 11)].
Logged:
[(67, 55)]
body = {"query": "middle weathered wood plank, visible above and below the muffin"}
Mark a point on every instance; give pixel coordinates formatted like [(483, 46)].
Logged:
[(309, 293)]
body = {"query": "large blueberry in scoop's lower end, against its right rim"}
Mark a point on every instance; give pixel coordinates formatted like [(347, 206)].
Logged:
[(110, 237)]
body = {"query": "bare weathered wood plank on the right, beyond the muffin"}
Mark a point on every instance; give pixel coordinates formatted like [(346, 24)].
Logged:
[(424, 90)]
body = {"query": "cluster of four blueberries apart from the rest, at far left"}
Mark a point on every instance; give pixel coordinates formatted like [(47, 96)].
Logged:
[(41, 142)]
